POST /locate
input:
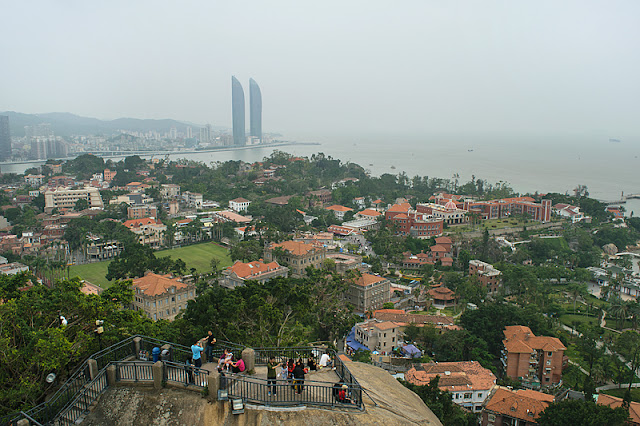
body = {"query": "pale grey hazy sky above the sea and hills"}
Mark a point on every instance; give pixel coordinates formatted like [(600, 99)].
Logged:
[(332, 66)]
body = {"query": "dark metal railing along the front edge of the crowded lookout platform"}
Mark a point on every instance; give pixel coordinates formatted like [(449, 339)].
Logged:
[(290, 393)]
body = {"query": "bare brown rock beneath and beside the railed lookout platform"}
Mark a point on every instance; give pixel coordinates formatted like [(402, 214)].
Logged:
[(124, 405)]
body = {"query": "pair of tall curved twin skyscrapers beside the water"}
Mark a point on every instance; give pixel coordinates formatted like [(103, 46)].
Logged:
[(238, 112)]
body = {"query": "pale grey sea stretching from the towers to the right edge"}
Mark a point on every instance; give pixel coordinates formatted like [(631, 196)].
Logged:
[(528, 163)]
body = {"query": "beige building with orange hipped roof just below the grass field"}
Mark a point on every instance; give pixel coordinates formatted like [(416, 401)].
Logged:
[(161, 296)]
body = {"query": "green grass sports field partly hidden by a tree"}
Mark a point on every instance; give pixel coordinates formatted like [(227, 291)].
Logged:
[(196, 256)]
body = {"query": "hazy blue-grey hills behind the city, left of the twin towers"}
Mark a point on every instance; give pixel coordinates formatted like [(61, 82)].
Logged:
[(67, 124)]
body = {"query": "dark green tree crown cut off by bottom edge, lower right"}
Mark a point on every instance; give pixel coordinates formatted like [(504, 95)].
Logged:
[(578, 412)]
